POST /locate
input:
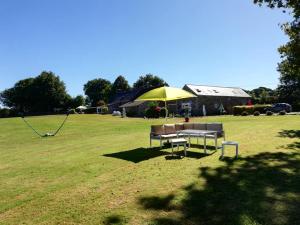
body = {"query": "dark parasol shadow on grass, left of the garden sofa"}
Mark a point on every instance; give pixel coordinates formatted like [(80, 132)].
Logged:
[(139, 154)]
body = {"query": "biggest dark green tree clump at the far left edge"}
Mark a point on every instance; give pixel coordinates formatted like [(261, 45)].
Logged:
[(36, 95)]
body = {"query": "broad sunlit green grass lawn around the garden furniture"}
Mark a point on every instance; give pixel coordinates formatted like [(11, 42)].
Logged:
[(99, 170)]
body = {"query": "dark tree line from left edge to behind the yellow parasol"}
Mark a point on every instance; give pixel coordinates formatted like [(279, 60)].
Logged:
[(46, 93)]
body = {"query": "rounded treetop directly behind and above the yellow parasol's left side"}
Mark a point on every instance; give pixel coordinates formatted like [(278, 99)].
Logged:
[(149, 81)]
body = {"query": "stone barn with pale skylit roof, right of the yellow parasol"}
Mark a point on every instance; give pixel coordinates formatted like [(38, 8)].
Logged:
[(214, 99)]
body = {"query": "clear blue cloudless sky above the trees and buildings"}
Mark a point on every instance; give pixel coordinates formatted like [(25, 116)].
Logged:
[(225, 43)]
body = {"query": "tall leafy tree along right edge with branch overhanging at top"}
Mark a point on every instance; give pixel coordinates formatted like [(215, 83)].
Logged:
[(289, 67)]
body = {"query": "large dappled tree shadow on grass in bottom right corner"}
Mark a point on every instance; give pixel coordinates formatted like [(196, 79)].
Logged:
[(259, 189)]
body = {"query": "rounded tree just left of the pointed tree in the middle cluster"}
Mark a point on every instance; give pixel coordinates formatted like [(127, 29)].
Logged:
[(97, 90)]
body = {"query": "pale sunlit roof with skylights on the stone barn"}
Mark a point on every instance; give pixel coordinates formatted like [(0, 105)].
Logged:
[(203, 90)]
